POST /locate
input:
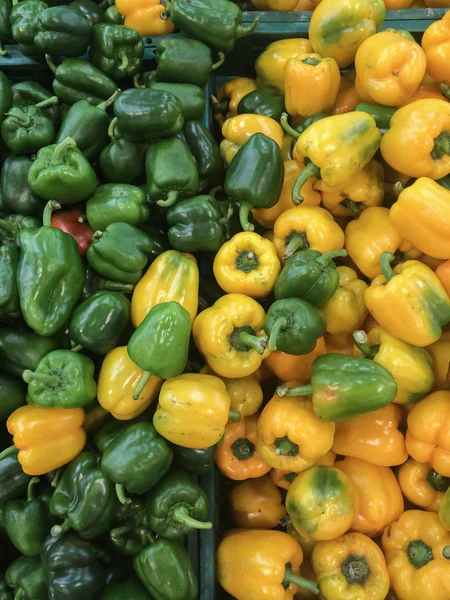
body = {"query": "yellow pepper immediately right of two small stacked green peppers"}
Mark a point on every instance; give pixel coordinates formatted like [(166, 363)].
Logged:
[(345, 311)]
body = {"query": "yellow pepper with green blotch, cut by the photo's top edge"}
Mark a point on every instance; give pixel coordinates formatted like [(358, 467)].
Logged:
[(351, 23)]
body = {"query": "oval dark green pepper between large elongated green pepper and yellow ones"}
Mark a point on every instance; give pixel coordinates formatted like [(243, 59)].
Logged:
[(99, 321)]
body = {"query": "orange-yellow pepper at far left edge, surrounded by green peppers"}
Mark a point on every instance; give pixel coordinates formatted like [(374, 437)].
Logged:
[(47, 438)]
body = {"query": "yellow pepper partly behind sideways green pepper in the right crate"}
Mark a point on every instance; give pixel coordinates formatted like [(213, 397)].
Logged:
[(411, 367)]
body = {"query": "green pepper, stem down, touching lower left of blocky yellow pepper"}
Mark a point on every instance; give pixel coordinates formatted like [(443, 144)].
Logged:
[(136, 459)]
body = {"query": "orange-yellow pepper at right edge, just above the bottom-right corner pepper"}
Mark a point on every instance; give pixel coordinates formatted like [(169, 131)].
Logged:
[(422, 485)]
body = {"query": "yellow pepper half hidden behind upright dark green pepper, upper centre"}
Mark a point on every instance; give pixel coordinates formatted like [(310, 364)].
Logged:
[(240, 129)]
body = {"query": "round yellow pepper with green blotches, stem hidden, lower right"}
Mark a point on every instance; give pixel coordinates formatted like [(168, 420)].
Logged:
[(322, 503)]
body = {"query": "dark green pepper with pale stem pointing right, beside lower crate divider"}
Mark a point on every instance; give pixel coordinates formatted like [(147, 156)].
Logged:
[(177, 506)]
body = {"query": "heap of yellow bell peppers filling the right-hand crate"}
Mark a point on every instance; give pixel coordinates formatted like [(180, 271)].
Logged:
[(361, 510)]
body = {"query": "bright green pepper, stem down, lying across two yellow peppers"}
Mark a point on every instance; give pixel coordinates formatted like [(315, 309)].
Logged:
[(160, 345)]
